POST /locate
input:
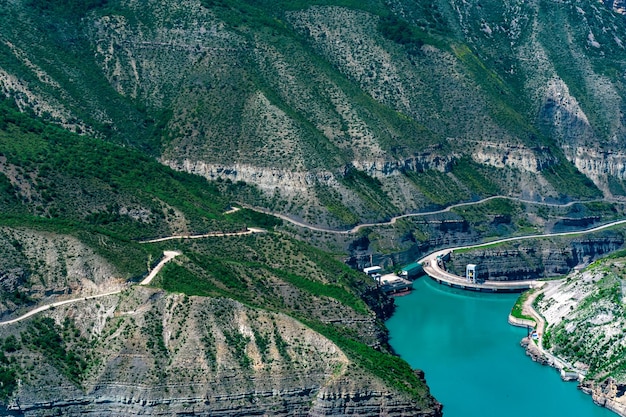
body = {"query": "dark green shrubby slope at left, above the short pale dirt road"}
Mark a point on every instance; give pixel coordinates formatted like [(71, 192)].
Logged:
[(48, 173)]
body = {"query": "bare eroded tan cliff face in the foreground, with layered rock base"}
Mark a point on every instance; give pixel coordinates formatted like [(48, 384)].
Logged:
[(159, 354)]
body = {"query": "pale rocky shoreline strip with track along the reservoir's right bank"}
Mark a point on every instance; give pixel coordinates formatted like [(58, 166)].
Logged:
[(605, 394)]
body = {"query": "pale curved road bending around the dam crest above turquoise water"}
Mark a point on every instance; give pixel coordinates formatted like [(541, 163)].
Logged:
[(435, 271)]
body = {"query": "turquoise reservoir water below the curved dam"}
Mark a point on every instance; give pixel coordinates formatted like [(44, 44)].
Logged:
[(473, 362)]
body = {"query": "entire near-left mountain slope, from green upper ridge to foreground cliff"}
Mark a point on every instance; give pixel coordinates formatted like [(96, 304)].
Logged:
[(256, 323)]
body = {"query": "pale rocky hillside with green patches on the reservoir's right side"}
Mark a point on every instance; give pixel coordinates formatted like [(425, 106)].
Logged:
[(585, 321)]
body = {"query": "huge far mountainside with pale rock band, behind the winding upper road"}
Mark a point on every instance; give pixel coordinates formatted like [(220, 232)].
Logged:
[(296, 97)]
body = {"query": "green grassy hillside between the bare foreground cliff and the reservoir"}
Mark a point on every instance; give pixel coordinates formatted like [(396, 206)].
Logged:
[(278, 274)]
